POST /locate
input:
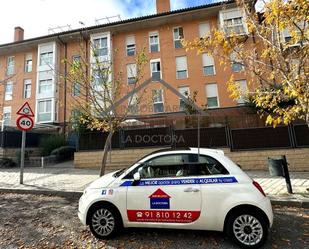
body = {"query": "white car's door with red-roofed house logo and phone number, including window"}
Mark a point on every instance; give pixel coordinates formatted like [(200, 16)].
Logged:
[(165, 194)]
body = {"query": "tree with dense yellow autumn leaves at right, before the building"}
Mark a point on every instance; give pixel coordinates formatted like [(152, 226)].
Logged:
[(273, 54)]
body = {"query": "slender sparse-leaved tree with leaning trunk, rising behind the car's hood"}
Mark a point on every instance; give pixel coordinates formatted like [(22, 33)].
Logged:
[(97, 89)]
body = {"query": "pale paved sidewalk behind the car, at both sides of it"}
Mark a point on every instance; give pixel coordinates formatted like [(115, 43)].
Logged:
[(66, 178)]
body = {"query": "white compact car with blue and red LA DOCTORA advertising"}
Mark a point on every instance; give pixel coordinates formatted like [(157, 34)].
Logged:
[(182, 189)]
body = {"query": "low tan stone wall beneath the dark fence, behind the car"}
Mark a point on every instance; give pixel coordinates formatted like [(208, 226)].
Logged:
[(298, 159)]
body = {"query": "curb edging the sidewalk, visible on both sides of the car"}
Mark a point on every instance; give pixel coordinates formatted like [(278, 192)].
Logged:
[(284, 202)]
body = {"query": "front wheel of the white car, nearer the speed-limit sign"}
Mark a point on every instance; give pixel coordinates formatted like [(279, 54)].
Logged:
[(104, 221)]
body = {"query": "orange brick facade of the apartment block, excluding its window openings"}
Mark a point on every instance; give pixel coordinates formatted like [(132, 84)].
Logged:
[(66, 45)]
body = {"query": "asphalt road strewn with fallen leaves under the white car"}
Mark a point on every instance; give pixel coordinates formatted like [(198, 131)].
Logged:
[(31, 221)]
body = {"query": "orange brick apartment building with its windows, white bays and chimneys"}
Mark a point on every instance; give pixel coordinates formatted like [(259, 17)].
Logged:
[(30, 69)]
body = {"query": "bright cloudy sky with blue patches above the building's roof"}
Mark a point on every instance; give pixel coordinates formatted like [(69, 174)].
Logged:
[(37, 16)]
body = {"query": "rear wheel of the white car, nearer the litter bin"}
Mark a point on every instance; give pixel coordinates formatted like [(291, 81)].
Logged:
[(247, 228)]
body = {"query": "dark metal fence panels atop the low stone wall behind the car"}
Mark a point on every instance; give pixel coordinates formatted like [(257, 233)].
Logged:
[(293, 136)]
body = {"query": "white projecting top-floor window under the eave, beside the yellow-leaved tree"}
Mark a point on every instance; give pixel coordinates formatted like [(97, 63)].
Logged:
[(232, 21)]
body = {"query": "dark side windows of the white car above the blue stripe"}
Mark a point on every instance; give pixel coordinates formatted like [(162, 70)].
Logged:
[(178, 165)]
